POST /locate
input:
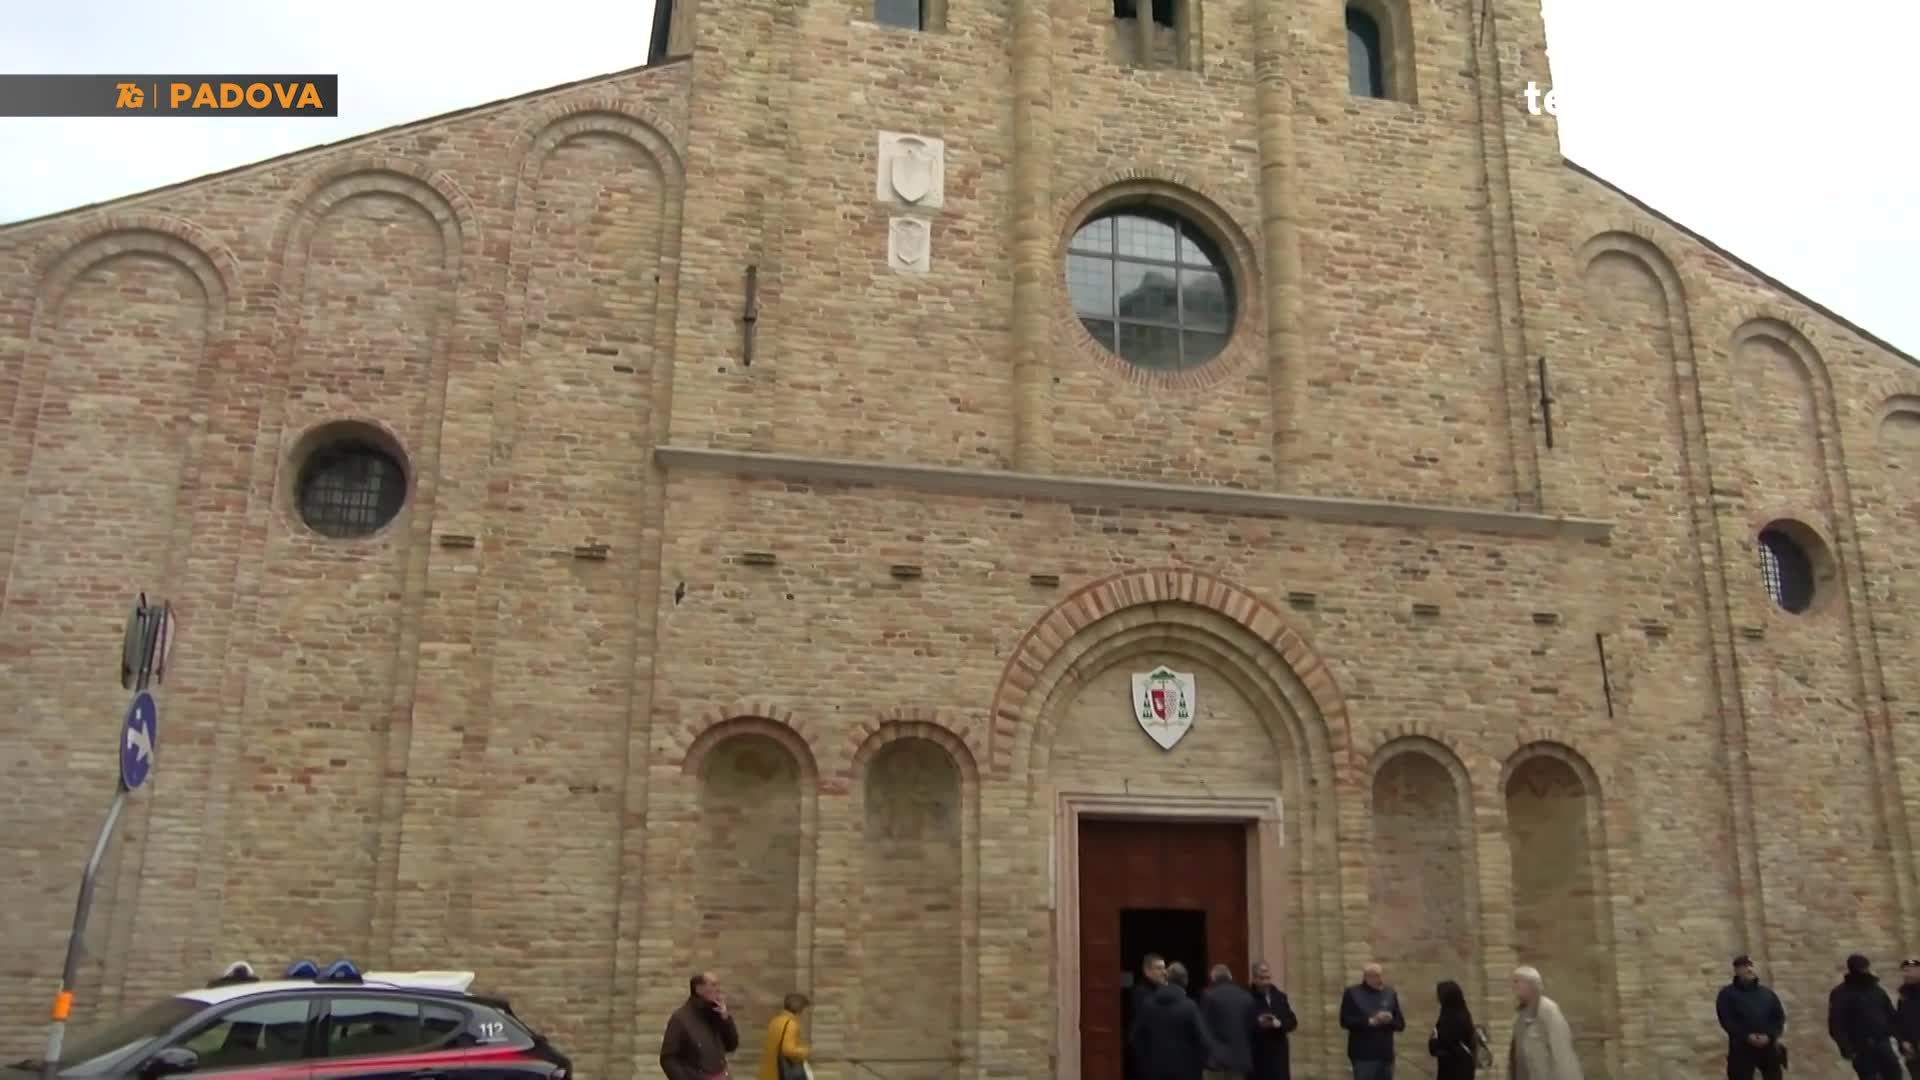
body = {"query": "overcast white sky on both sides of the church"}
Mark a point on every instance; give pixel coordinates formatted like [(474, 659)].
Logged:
[(1787, 132)]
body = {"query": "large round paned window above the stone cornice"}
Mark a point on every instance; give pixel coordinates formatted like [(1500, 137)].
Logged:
[(1151, 287)]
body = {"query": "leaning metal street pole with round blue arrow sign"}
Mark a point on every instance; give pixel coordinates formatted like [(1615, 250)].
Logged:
[(143, 660)]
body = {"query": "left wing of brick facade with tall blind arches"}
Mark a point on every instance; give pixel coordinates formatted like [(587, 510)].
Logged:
[(485, 289)]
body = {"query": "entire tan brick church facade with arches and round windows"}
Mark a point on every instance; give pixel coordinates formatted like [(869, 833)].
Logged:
[(731, 514)]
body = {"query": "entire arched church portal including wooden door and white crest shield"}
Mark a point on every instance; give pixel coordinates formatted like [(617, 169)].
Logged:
[(1184, 762)]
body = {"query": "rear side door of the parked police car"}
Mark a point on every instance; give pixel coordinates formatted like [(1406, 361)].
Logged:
[(391, 1037)]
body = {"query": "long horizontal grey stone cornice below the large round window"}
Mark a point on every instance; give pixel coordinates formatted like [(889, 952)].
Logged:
[(999, 483)]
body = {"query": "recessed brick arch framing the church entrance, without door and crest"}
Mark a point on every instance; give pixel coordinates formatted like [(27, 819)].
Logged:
[(1264, 679)]
